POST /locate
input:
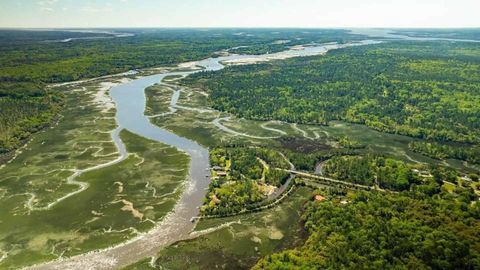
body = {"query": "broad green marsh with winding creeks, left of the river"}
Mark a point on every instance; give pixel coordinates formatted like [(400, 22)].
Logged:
[(120, 201)]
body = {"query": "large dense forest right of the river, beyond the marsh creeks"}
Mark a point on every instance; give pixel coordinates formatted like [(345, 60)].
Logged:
[(422, 89)]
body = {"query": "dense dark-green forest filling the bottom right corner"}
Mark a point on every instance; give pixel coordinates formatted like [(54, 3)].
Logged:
[(408, 230)]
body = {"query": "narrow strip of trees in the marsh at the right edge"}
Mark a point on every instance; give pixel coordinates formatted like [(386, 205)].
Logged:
[(443, 151)]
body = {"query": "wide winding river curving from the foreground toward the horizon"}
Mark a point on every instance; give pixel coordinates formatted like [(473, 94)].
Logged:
[(130, 103)]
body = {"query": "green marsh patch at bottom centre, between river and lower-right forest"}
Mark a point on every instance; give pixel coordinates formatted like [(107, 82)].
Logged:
[(239, 245)]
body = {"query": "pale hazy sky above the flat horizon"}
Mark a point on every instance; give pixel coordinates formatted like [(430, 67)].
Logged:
[(239, 13)]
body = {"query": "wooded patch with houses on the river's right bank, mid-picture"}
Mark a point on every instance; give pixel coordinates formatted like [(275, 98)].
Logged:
[(242, 187)]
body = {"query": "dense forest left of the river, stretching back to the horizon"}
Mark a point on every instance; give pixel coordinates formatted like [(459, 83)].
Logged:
[(31, 59)]
